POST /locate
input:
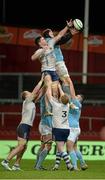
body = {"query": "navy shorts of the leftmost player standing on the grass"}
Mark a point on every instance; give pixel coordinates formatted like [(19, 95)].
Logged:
[(23, 131)]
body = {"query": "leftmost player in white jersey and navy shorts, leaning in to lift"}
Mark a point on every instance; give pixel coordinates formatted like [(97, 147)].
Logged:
[(24, 127)]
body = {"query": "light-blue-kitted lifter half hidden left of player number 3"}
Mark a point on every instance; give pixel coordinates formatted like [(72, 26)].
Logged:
[(45, 129)]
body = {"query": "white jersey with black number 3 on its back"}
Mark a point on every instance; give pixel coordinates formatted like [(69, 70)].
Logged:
[(60, 115)]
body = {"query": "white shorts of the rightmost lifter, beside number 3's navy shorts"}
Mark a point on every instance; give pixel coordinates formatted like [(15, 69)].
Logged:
[(74, 133)]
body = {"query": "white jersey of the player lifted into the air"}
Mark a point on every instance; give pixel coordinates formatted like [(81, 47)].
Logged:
[(48, 59)]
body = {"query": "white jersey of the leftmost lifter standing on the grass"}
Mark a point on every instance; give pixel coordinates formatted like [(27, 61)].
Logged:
[(28, 112)]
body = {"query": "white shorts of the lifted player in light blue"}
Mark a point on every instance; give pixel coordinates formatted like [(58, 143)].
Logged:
[(61, 69)]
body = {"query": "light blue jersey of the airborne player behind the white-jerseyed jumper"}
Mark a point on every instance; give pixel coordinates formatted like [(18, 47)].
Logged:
[(57, 51)]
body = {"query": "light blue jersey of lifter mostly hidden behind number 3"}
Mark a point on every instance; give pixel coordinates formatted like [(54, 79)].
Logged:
[(45, 120)]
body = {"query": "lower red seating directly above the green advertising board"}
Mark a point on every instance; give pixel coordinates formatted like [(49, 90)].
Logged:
[(91, 122)]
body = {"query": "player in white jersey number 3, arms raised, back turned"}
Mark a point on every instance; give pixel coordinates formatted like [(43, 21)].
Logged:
[(60, 125)]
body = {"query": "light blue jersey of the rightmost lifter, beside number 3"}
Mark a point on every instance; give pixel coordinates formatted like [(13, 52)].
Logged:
[(74, 114)]
